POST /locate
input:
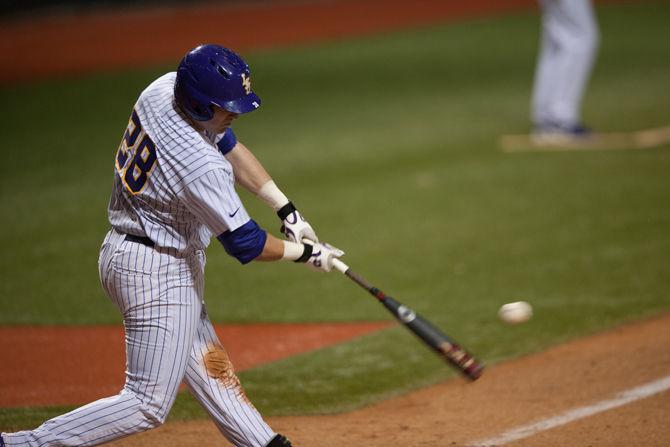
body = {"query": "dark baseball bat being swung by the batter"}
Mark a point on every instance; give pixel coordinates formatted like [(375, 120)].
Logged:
[(444, 346)]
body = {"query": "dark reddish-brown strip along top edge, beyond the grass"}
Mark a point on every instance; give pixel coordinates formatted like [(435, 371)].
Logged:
[(63, 45)]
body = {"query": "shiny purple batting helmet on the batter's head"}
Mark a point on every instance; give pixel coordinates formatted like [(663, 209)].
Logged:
[(211, 75)]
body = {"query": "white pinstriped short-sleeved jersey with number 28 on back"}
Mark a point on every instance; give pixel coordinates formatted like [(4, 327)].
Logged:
[(171, 182)]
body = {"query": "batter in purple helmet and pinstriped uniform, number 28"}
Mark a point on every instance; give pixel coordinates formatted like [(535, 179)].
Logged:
[(174, 188)]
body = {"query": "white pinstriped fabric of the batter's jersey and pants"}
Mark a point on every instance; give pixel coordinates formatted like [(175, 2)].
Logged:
[(189, 195)]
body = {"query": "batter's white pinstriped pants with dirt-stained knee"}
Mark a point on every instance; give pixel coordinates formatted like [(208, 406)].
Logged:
[(168, 339)]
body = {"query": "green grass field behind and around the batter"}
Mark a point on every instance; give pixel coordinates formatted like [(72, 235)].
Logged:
[(388, 145)]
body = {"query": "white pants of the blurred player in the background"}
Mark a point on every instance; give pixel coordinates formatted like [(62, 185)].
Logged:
[(567, 49)]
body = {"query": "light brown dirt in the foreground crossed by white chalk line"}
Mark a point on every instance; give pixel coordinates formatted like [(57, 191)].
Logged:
[(508, 395)]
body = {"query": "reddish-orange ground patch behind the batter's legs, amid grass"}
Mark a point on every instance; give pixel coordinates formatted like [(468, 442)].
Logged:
[(76, 365)]
